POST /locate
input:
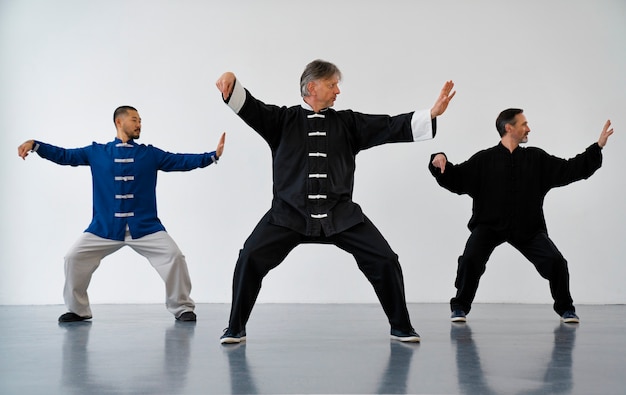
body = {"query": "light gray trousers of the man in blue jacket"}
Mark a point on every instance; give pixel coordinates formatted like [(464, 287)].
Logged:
[(84, 257)]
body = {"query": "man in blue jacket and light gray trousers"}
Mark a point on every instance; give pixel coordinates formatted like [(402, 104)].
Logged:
[(124, 175)]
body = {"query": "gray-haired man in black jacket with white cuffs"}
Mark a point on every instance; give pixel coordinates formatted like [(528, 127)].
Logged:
[(313, 161)]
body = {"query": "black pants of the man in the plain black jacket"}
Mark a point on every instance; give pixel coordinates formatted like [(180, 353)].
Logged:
[(539, 250)]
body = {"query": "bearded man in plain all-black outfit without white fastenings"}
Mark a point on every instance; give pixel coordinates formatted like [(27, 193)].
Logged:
[(508, 184)]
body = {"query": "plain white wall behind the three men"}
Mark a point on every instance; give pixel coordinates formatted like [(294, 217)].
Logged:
[(66, 65)]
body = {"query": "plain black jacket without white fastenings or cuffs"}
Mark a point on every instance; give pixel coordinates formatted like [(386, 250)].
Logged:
[(508, 189)]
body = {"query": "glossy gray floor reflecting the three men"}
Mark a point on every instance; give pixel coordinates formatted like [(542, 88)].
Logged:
[(313, 349)]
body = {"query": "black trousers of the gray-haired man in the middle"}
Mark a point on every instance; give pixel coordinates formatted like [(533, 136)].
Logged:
[(269, 245)]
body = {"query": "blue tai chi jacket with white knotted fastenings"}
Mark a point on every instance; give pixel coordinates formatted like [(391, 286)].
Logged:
[(124, 177)]
